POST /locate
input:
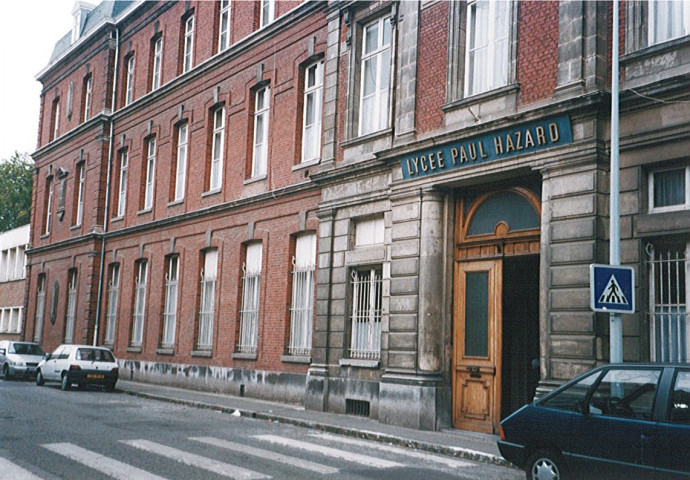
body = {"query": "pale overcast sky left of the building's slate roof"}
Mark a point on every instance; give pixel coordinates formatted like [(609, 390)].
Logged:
[(28, 32)]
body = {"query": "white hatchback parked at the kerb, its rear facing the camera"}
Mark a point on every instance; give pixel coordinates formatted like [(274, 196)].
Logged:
[(80, 364)]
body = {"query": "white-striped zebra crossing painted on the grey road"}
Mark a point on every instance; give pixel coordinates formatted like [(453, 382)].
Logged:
[(328, 455)]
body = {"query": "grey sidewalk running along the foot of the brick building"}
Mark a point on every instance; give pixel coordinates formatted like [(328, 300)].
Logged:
[(456, 443)]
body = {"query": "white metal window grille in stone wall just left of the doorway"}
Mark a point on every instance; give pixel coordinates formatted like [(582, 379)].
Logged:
[(366, 314)]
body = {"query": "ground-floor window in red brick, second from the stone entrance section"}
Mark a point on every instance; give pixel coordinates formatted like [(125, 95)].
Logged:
[(249, 315)]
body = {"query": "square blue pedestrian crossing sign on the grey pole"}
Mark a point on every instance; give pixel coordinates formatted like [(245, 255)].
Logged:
[(612, 289)]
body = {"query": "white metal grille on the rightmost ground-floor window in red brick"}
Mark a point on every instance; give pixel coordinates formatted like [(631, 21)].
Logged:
[(302, 309)]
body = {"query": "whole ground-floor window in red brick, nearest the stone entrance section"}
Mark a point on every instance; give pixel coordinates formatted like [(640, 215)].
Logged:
[(302, 309)]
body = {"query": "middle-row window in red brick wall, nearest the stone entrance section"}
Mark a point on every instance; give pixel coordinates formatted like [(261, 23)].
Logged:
[(311, 117)]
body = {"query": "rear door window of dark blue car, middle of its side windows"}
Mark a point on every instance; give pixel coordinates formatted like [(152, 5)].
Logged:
[(627, 393)]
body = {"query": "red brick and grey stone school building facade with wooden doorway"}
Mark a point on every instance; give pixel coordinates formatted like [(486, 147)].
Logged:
[(434, 173)]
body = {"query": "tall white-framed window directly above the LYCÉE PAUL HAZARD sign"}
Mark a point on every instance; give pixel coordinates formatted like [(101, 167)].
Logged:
[(495, 38)]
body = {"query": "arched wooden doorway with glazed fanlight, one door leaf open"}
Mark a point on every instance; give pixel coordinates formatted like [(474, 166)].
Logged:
[(496, 306)]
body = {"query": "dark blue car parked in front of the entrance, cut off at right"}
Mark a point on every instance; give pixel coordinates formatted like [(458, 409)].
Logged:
[(616, 421)]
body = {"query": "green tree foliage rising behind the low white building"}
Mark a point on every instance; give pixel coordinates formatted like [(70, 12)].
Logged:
[(16, 183)]
